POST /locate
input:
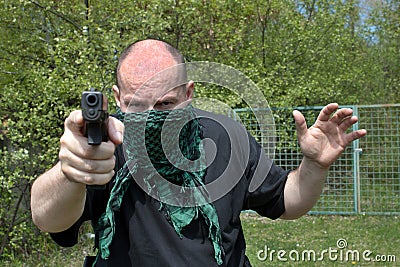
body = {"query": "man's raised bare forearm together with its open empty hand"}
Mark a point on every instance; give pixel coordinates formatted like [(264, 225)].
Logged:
[(321, 145)]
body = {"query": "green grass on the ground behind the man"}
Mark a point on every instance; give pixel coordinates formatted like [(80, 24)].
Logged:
[(378, 234)]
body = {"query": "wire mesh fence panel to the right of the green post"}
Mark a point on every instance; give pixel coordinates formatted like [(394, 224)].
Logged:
[(379, 167)]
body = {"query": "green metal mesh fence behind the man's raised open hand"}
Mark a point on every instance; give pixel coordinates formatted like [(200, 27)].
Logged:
[(365, 179)]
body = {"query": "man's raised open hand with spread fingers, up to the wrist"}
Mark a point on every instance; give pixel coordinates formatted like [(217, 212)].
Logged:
[(324, 142)]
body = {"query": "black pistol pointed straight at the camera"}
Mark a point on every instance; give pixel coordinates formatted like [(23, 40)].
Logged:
[(94, 107)]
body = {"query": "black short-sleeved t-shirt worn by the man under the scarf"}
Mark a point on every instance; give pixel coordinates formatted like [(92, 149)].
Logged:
[(144, 237)]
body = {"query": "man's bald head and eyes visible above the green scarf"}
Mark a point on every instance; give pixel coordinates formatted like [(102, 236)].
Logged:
[(150, 75)]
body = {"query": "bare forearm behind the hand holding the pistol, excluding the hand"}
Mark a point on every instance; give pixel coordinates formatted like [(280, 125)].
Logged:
[(56, 202)]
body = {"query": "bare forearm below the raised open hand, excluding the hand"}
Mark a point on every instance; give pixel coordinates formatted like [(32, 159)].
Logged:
[(303, 188)]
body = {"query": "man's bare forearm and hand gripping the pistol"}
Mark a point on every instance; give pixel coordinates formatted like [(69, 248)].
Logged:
[(58, 196)]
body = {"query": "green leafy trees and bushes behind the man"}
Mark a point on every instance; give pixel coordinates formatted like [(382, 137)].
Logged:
[(297, 52)]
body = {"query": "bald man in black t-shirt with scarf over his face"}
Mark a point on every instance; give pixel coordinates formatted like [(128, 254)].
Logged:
[(136, 220)]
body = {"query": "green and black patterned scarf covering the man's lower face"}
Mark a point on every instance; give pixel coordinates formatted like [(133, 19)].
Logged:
[(162, 131)]
